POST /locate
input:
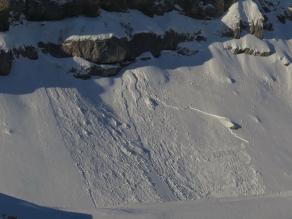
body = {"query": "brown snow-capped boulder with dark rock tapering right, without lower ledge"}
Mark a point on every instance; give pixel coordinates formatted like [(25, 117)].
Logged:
[(108, 49)]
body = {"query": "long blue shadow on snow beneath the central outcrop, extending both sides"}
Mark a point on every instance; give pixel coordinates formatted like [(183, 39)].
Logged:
[(49, 72)]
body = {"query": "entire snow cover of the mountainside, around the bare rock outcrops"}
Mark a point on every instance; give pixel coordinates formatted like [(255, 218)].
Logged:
[(213, 127)]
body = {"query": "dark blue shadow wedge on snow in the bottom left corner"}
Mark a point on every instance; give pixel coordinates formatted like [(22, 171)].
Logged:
[(10, 206)]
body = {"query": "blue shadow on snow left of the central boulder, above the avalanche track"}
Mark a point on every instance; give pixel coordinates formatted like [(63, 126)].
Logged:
[(28, 76)]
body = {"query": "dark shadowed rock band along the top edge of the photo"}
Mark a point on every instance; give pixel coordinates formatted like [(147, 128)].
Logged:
[(54, 10)]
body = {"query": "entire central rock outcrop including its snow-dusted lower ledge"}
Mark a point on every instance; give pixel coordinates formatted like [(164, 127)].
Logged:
[(106, 54)]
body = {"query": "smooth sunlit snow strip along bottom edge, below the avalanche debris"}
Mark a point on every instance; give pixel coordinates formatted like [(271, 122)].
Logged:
[(260, 208)]
